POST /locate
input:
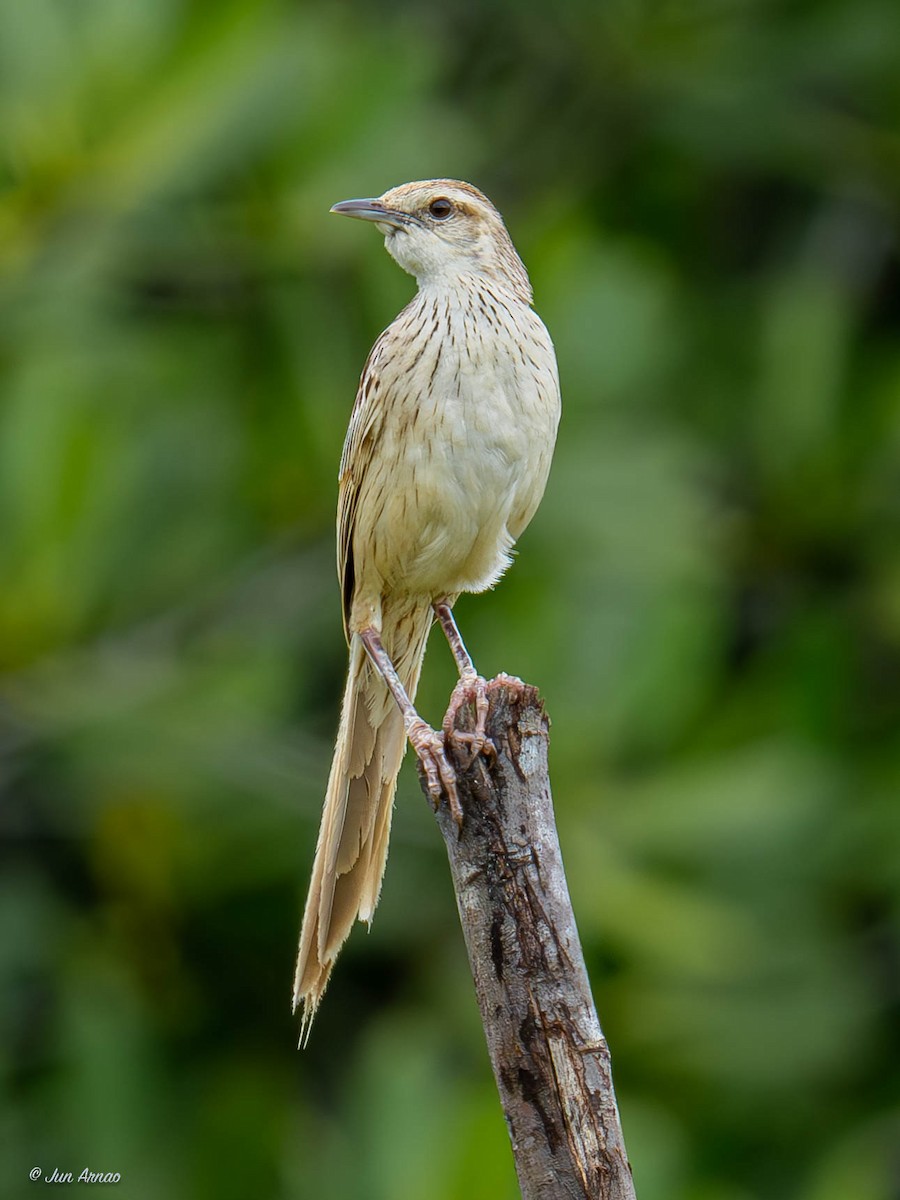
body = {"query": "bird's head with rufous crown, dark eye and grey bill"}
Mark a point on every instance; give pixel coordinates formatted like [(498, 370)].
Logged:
[(445, 232)]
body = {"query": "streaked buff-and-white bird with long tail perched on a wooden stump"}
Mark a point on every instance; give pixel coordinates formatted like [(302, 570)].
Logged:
[(445, 465)]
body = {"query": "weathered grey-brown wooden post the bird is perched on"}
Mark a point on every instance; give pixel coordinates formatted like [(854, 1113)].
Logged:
[(550, 1058)]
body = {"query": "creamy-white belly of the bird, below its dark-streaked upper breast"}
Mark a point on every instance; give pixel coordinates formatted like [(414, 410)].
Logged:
[(469, 469)]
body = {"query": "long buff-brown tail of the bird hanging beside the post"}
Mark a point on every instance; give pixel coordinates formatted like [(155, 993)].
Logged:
[(352, 850)]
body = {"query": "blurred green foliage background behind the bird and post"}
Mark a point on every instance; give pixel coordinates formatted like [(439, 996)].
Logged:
[(706, 195)]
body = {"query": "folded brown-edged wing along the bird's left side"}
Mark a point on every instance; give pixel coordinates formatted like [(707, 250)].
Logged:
[(356, 459)]
